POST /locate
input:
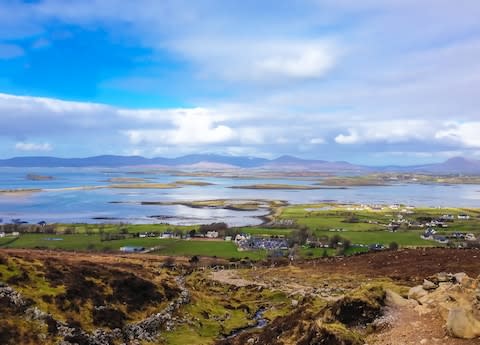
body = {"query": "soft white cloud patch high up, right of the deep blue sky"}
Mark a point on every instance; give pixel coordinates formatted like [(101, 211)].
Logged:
[(260, 60)]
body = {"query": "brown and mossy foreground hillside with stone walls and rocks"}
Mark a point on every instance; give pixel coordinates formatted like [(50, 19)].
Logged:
[(55, 297)]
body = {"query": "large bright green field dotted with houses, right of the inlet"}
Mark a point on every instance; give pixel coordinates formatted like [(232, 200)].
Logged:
[(370, 226)]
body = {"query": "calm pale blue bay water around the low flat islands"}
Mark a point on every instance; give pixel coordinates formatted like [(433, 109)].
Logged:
[(57, 205)]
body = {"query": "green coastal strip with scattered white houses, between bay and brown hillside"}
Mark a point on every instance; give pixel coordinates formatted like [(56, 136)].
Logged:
[(340, 228)]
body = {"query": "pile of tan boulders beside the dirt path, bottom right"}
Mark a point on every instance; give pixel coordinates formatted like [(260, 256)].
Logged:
[(456, 297)]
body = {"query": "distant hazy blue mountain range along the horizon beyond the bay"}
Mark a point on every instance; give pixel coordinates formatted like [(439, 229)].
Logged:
[(457, 165)]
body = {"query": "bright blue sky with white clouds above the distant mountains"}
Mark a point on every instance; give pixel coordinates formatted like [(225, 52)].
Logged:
[(371, 81)]
